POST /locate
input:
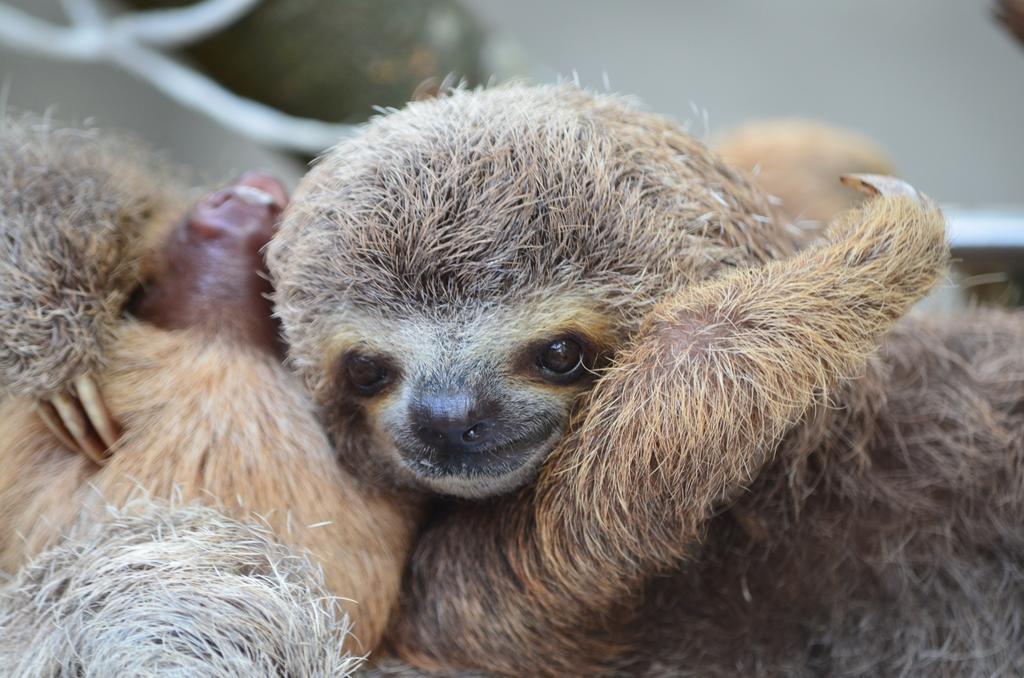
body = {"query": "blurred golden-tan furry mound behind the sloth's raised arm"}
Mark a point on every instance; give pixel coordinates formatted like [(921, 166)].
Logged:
[(799, 162)]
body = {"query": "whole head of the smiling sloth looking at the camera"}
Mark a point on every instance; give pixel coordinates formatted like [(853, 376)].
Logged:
[(455, 279)]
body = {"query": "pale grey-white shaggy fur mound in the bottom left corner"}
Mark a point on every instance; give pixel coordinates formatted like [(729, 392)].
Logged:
[(167, 590)]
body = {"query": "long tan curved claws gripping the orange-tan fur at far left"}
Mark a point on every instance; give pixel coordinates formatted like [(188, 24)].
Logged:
[(81, 420)]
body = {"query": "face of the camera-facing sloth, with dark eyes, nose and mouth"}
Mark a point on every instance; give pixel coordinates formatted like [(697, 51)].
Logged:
[(467, 407)]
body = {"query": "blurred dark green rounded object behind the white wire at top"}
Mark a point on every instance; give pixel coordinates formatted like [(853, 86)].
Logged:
[(334, 60)]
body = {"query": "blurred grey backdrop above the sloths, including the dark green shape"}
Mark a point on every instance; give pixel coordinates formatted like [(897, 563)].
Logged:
[(938, 84)]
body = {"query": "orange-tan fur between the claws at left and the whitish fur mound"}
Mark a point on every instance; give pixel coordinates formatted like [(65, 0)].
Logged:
[(220, 425)]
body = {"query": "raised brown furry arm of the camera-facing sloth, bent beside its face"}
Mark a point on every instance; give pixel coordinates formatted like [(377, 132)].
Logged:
[(686, 418)]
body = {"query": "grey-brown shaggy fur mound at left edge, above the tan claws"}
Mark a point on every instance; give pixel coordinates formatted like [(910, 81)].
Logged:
[(76, 213)]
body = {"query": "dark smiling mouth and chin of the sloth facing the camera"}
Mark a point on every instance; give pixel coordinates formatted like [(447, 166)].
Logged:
[(507, 465)]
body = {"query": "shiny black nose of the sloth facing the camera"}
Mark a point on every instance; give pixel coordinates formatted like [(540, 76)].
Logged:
[(454, 423)]
